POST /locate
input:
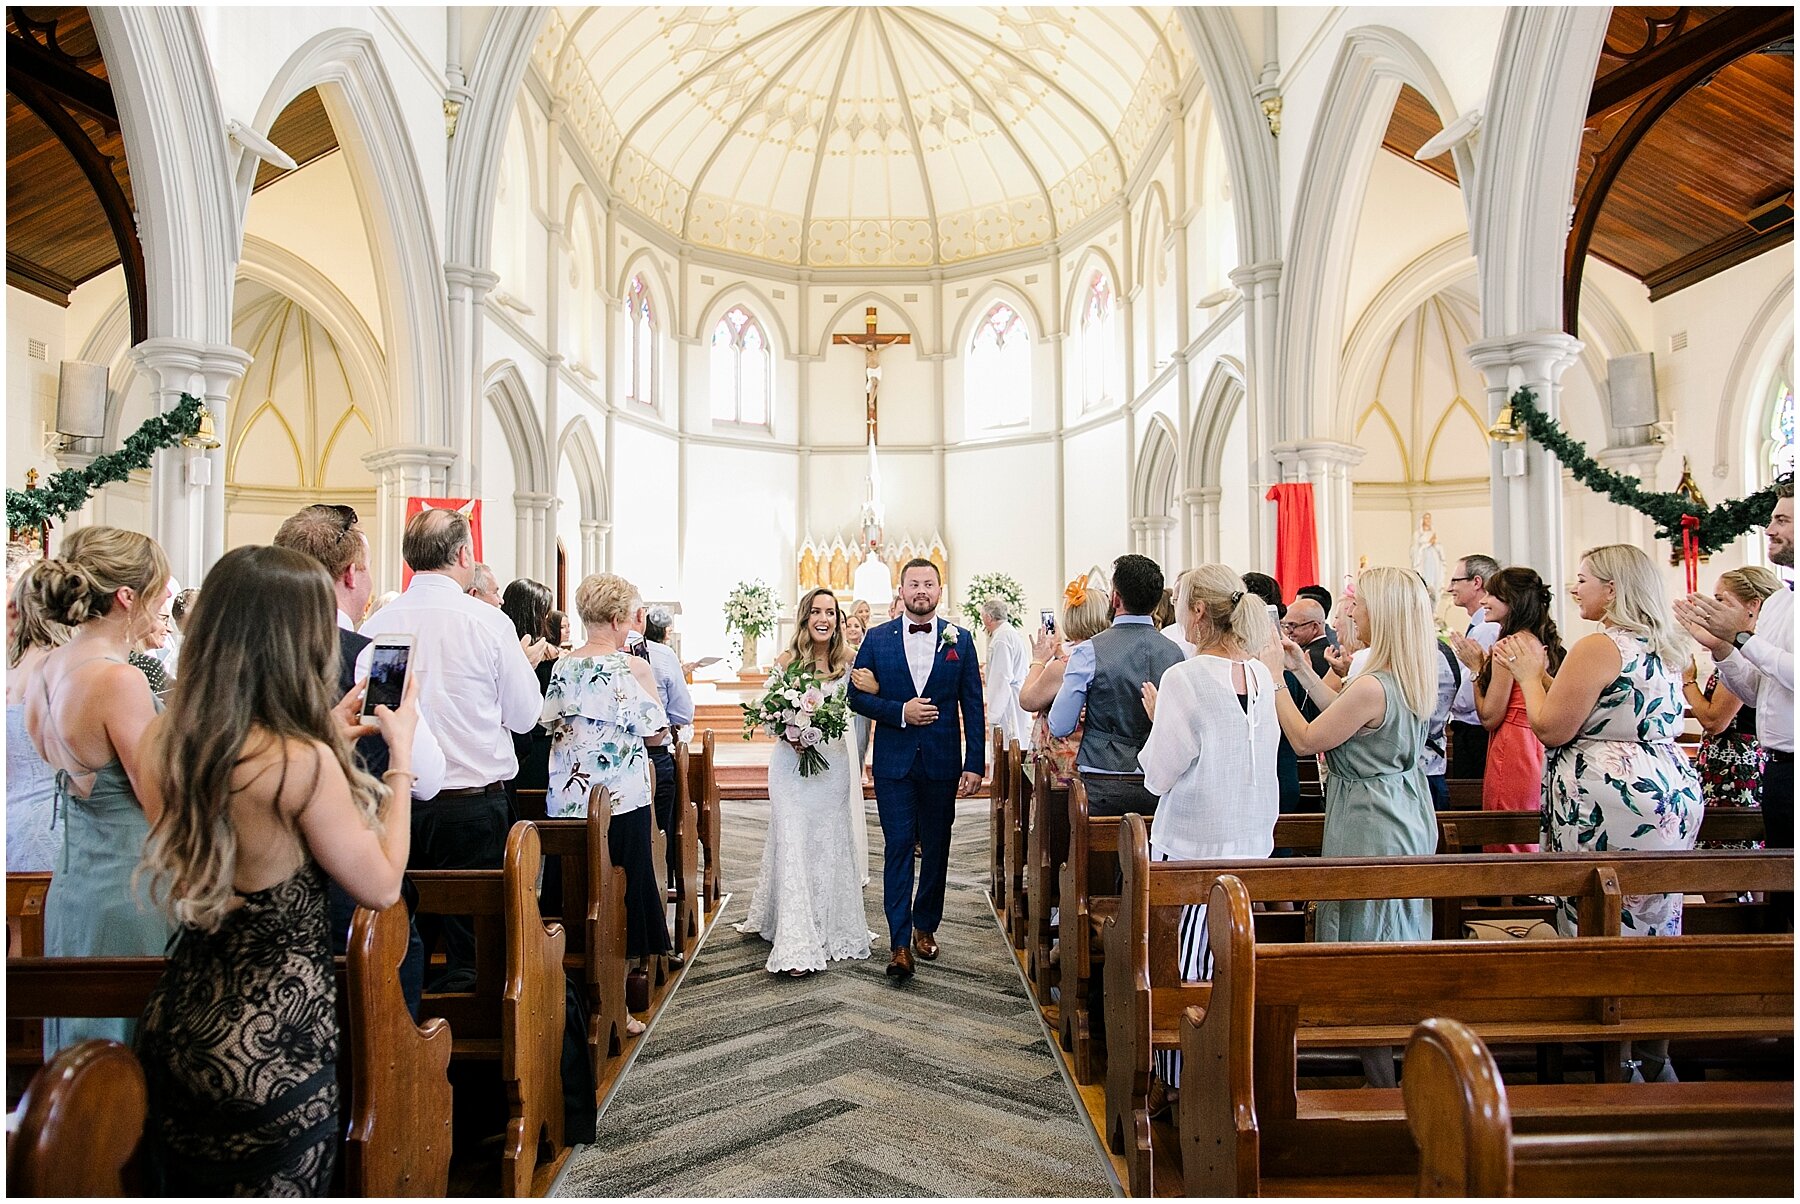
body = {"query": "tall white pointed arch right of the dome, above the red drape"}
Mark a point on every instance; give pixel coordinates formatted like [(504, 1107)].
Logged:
[(1372, 66)]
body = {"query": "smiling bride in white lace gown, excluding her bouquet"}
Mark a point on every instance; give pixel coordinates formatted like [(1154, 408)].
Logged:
[(809, 894)]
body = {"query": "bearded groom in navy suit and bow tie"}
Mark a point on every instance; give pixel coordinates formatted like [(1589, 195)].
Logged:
[(926, 672)]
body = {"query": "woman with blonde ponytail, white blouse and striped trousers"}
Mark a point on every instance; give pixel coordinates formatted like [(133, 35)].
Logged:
[(1210, 757)]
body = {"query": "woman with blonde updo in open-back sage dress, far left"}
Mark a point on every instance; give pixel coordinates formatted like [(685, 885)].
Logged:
[(87, 715)]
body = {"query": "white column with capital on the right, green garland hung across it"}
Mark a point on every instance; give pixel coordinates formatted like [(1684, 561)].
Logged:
[(1527, 481)]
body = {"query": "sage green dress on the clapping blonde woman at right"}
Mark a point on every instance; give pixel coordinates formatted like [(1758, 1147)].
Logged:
[(1378, 805)]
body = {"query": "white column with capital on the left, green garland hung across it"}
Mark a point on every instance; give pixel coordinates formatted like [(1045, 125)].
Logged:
[(188, 487)]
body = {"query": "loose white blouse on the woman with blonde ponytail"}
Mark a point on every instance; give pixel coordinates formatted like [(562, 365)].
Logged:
[(1212, 762)]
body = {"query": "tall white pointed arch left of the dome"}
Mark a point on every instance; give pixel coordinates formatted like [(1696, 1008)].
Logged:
[(361, 102)]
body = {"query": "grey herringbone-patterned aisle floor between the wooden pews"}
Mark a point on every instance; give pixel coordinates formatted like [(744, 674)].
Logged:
[(843, 1084)]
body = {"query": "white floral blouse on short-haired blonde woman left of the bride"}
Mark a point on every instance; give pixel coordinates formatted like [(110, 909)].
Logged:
[(598, 717)]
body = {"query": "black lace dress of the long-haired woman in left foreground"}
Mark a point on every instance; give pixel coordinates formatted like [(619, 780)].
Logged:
[(240, 1050)]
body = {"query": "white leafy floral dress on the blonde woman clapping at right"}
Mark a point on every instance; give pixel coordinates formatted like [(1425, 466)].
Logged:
[(1623, 784)]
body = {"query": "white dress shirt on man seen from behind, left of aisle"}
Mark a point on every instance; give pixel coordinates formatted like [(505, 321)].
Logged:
[(474, 678)]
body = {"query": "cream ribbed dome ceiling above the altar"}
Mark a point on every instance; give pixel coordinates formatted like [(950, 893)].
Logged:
[(876, 136)]
